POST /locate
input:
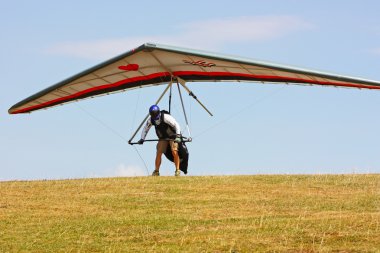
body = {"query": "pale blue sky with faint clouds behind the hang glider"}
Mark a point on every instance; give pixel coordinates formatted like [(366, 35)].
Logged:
[(257, 128)]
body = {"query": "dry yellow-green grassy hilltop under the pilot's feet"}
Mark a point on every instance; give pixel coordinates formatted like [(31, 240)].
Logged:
[(298, 213)]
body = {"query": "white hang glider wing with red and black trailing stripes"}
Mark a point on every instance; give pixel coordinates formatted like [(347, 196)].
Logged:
[(154, 64)]
